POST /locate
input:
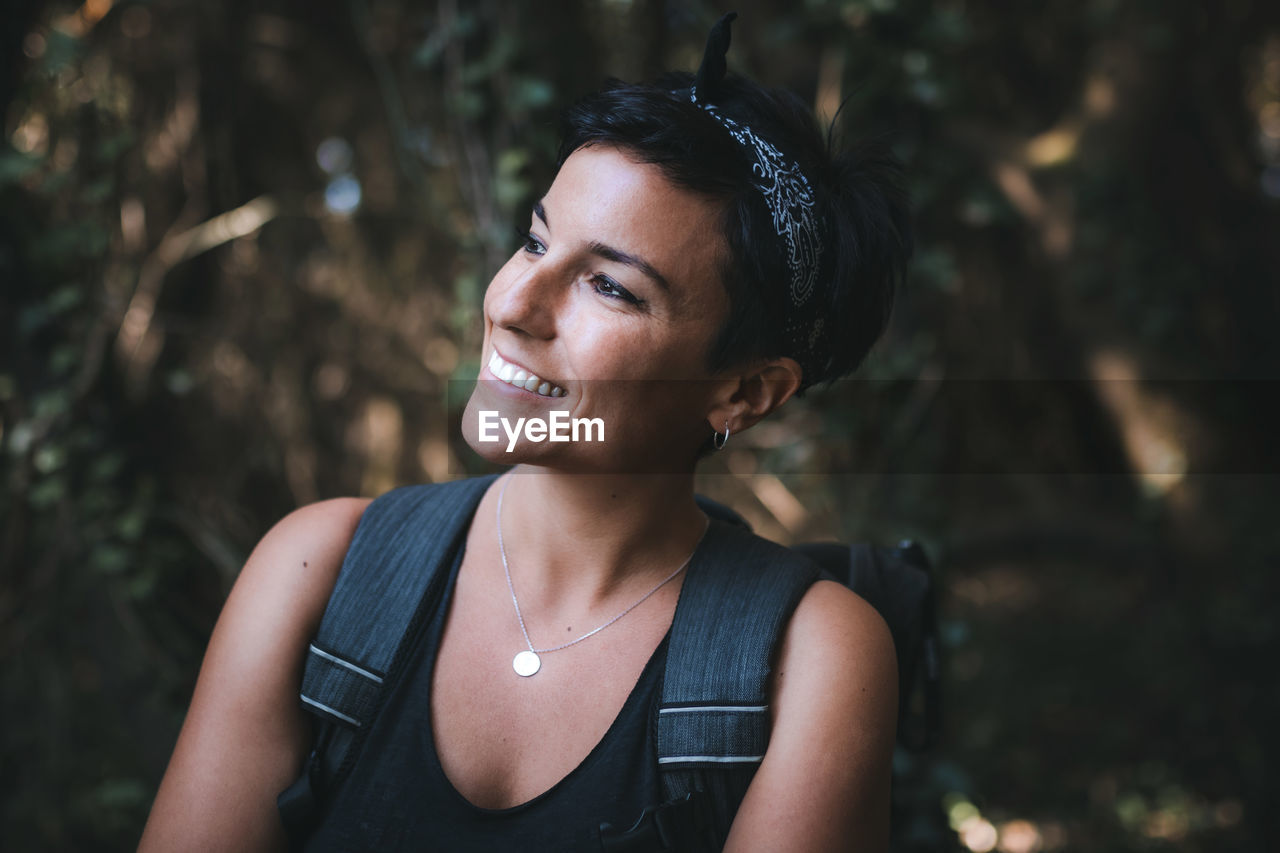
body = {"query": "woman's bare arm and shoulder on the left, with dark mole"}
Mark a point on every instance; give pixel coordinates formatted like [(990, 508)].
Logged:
[(245, 738)]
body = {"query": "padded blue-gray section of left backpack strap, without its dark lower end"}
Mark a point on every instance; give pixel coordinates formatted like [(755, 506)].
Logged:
[(400, 549)]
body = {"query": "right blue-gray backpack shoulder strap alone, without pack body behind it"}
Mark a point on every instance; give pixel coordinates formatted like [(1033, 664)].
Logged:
[(714, 719)]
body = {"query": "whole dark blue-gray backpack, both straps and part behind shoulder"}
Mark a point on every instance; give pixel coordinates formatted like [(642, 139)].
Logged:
[(714, 722)]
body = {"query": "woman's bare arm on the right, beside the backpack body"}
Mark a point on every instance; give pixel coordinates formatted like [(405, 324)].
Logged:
[(825, 782)]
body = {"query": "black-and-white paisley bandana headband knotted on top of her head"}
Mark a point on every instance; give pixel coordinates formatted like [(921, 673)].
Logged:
[(787, 194)]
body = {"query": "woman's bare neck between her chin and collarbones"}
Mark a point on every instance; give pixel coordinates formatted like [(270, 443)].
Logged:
[(582, 540)]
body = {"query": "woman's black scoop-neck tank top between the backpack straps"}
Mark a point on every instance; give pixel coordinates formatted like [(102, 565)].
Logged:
[(399, 799)]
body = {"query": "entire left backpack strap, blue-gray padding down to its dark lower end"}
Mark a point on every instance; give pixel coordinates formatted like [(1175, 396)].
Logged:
[(391, 576)]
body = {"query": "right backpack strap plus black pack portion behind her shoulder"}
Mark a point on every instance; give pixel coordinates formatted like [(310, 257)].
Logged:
[(714, 723)]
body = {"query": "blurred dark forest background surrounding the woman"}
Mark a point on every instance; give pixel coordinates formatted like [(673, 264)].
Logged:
[(243, 250)]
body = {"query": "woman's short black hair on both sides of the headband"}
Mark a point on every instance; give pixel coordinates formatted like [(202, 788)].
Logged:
[(861, 202)]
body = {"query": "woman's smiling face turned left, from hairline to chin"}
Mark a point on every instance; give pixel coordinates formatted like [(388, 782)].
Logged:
[(612, 303)]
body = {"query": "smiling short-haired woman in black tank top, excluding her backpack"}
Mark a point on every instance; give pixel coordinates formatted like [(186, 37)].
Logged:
[(698, 261)]
